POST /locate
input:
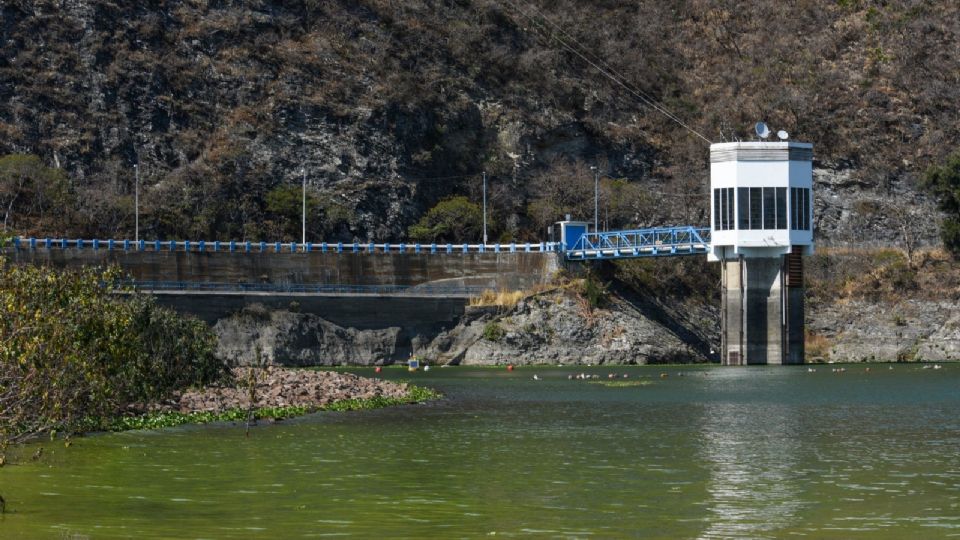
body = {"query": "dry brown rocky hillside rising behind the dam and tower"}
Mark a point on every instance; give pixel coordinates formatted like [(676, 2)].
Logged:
[(389, 107)]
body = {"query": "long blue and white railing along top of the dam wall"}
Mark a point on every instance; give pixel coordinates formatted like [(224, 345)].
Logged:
[(203, 246)]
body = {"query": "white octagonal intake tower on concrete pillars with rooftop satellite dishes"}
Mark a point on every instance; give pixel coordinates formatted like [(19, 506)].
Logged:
[(761, 224)]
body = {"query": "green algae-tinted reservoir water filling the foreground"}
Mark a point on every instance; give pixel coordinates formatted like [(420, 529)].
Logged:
[(703, 453)]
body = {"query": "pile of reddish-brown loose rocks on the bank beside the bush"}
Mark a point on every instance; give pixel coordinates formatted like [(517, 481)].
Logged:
[(281, 387)]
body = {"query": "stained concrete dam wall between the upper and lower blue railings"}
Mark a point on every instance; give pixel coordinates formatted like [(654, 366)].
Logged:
[(496, 271)]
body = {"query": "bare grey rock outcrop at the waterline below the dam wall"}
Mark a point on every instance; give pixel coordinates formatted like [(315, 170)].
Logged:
[(547, 328)]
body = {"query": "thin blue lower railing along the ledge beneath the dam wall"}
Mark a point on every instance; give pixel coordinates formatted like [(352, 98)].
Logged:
[(308, 288)]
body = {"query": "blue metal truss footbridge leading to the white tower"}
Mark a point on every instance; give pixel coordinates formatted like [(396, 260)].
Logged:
[(654, 242)]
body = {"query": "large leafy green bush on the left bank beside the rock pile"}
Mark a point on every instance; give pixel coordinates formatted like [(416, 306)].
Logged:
[(72, 348)]
